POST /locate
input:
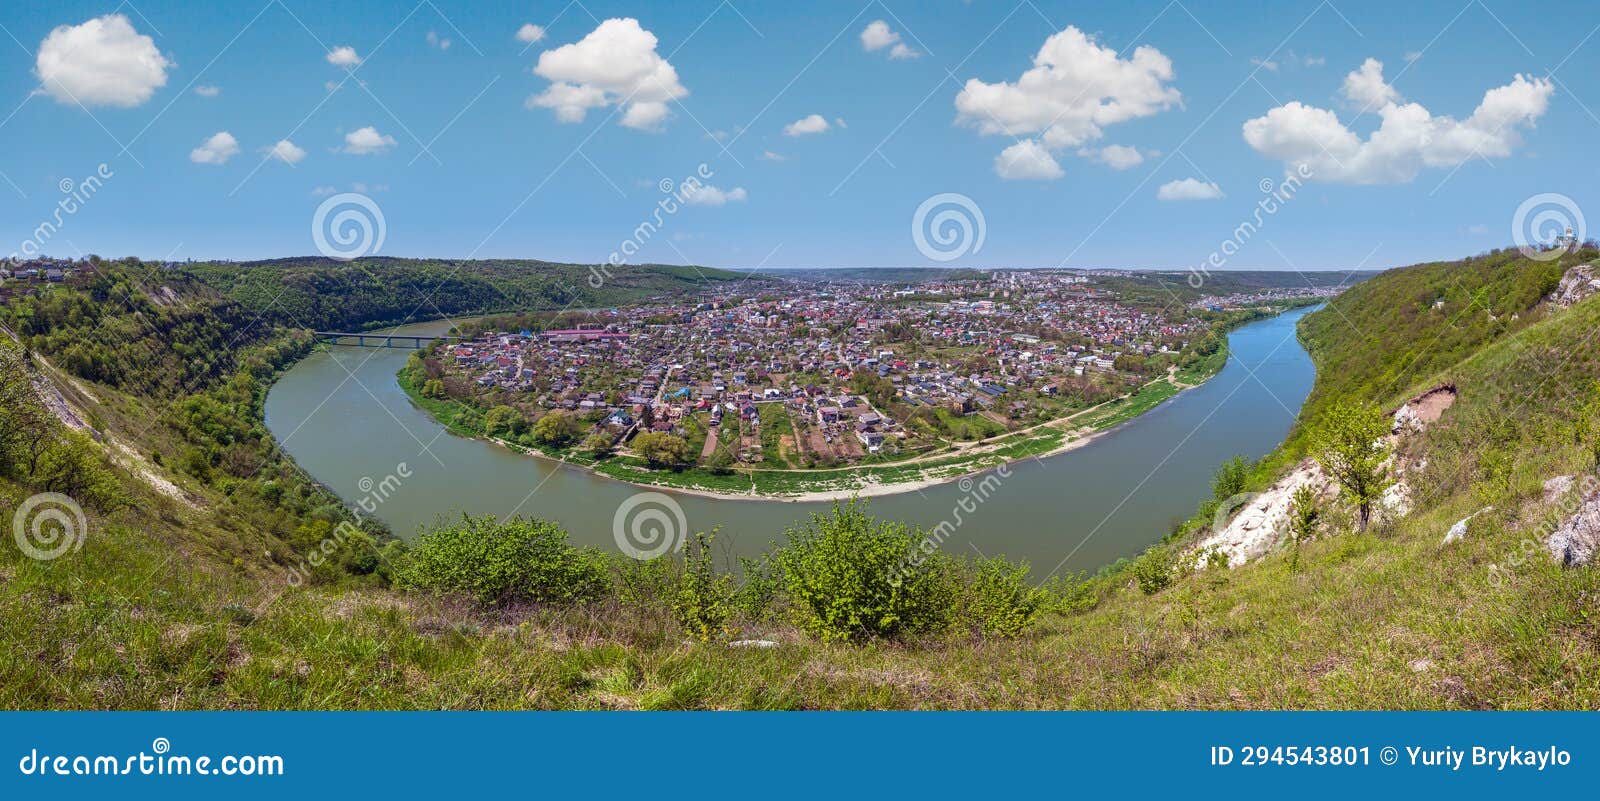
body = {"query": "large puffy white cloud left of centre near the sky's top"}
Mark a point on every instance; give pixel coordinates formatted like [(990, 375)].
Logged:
[(615, 65)]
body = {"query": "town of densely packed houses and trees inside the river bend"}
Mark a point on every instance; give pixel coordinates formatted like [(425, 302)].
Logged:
[(820, 375)]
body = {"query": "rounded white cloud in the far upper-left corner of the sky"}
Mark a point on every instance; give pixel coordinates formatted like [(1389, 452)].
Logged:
[(100, 63)]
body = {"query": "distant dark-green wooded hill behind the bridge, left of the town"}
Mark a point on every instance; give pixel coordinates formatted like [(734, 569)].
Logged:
[(369, 293)]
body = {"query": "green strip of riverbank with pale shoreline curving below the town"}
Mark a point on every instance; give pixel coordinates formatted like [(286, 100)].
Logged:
[(954, 463)]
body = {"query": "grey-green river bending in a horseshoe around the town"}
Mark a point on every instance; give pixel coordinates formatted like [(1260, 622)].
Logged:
[(345, 420)]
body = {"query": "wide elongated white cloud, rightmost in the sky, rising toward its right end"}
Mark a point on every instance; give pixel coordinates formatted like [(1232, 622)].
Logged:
[(1407, 140)]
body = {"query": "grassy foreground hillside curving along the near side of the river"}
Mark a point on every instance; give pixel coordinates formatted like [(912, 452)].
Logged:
[(178, 607)]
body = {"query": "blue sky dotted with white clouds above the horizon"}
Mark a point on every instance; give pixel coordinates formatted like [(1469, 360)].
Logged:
[(940, 133)]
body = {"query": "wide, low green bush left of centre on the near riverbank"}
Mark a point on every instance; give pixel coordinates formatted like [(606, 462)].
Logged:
[(505, 562)]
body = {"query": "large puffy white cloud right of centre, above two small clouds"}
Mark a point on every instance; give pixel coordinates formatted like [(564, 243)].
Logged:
[(1074, 90)]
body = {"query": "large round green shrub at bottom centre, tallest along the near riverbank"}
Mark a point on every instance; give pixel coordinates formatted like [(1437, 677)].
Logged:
[(854, 578)]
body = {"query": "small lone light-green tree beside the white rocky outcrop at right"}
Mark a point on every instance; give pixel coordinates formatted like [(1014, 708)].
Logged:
[(1353, 447)]
